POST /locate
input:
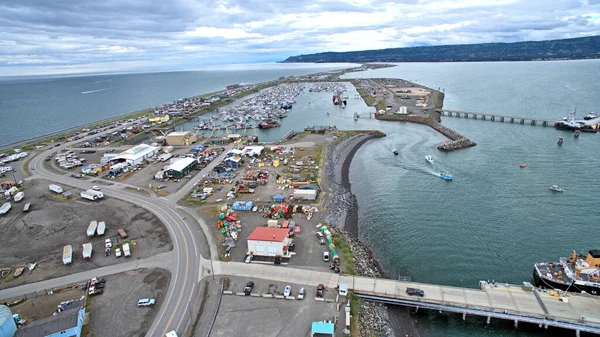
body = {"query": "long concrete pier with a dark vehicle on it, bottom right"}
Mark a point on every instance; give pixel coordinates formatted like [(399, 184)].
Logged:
[(502, 301)]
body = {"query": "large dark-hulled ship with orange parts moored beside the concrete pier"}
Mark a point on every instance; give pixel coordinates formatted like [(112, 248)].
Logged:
[(578, 273)]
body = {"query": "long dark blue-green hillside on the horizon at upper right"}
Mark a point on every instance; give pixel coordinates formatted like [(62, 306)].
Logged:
[(578, 48)]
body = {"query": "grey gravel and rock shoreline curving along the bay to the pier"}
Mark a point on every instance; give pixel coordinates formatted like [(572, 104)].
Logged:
[(342, 213)]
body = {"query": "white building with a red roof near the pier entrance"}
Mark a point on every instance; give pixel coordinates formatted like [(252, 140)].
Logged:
[(265, 241)]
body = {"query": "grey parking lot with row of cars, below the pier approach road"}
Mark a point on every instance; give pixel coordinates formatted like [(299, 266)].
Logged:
[(271, 317)]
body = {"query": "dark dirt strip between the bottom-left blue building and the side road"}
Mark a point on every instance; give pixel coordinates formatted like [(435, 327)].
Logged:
[(45, 305)]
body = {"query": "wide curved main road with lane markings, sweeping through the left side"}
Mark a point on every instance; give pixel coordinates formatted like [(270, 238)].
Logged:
[(173, 313)]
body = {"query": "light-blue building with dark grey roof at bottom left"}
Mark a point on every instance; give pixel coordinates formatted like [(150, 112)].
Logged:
[(66, 323)]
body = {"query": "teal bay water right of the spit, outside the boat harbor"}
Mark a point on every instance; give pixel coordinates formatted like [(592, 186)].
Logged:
[(495, 220)]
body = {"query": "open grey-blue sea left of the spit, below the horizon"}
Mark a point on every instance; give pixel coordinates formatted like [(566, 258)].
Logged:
[(35, 106)]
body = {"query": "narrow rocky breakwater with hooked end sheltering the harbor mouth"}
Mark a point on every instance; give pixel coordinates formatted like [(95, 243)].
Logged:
[(457, 141)]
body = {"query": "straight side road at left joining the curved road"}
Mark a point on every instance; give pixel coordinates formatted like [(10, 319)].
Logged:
[(163, 260)]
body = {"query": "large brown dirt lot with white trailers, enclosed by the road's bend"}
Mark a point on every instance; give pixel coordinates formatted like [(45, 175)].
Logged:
[(40, 235)]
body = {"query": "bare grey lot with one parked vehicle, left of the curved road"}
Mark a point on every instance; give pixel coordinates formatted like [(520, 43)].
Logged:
[(118, 304)]
